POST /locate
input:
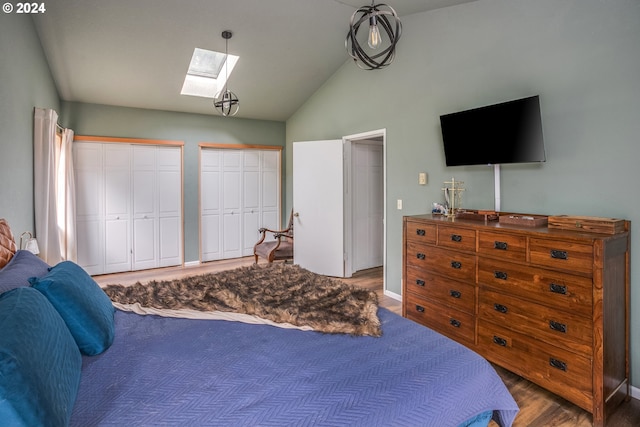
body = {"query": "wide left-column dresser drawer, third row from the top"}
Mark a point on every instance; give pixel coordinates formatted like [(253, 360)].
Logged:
[(459, 295)]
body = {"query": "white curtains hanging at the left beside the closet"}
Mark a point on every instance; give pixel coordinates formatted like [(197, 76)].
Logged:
[(54, 189)]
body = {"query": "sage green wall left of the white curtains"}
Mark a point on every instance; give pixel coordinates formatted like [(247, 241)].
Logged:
[(25, 83)]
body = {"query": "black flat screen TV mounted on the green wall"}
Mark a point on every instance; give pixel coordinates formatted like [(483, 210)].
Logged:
[(509, 132)]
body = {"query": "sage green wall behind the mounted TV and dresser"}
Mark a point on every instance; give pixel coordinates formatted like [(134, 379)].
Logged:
[(581, 56)]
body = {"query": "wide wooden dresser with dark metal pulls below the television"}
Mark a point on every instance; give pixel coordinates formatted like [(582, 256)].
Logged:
[(550, 305)]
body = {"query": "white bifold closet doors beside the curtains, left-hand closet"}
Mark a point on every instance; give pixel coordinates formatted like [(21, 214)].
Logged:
[(129, 206)]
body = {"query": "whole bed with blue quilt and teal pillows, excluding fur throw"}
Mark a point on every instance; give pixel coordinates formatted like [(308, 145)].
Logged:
[(68, 358)]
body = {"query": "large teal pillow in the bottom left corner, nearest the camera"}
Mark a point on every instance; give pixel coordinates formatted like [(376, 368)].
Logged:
[(39, 362)]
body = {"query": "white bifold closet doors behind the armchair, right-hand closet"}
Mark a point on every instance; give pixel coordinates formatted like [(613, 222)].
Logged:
[(239, 193)]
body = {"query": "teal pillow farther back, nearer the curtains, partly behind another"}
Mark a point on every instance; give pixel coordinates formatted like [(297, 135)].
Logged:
[(83, 305)]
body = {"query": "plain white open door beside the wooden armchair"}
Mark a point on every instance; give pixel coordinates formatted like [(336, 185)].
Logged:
[(318, 204)]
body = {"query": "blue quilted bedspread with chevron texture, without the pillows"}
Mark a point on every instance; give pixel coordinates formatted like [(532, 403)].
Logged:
[(178, 372)]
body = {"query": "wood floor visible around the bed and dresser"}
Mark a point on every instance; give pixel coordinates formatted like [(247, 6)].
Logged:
[(538, 407)]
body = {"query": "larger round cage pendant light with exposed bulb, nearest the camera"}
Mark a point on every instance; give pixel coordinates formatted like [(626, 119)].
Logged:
[(377, 15)]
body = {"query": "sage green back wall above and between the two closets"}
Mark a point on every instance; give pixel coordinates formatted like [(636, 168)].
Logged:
[(103, 120)]
